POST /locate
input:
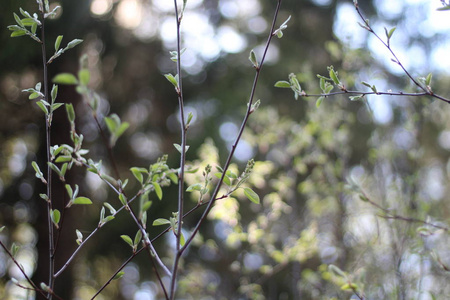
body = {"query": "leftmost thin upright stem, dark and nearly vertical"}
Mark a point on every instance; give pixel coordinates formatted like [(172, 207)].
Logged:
[(51, 265)]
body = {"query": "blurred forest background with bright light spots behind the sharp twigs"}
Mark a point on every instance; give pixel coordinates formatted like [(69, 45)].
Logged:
[(360, 186)]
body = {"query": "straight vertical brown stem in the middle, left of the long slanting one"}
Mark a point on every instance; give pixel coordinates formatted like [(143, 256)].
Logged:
[(182, 159)]
